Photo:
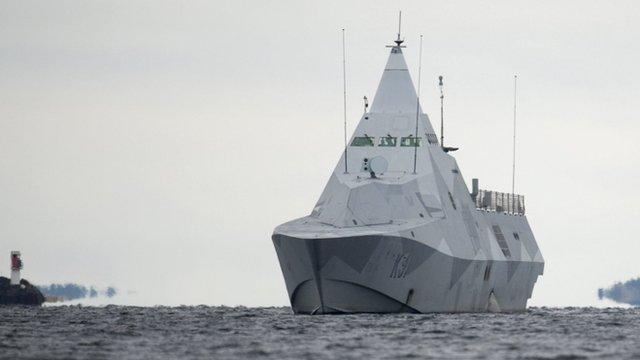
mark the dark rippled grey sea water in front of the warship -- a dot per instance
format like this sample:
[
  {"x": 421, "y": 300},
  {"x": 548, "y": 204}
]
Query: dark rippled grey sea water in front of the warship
[{"x": 67, "y": 332}]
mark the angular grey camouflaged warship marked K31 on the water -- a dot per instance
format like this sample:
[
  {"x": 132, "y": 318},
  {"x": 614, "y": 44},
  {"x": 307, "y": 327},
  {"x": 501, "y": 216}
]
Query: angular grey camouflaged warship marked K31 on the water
[{"x": 396, "y": 228}]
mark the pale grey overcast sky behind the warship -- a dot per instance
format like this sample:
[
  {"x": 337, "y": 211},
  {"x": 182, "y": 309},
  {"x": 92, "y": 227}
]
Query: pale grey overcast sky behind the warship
[{"x": 155, "y": 145}]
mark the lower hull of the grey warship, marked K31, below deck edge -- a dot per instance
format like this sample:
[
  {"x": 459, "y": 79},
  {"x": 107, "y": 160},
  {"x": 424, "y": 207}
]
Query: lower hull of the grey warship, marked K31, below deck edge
[{"x": 387, "y": 274}]
